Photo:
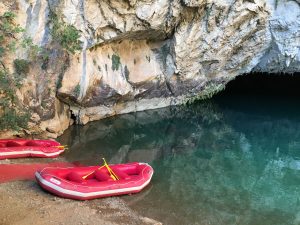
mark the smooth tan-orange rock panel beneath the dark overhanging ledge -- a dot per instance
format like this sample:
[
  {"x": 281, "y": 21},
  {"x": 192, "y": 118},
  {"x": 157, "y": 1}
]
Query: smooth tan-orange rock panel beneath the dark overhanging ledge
[{"x": 126, "y": 68}]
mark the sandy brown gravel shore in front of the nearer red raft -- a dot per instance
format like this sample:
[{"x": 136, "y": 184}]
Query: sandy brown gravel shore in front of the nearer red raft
[{"x": 24, "y": 202}]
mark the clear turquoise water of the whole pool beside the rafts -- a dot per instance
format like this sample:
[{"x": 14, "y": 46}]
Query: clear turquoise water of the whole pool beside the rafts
[{"x": 231, "y": 160}]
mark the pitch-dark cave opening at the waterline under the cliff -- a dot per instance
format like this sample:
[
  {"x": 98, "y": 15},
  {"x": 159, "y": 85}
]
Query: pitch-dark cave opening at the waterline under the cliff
[{"x": 262, "y": 93}]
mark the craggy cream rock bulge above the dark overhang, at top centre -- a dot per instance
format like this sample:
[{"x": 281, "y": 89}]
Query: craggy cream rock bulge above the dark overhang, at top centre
[{"x": 103, "y": 21}]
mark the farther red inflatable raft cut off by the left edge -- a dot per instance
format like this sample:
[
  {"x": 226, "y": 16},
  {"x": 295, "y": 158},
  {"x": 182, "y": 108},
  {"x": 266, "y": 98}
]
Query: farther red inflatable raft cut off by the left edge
[{"x": 18, "y": 148}]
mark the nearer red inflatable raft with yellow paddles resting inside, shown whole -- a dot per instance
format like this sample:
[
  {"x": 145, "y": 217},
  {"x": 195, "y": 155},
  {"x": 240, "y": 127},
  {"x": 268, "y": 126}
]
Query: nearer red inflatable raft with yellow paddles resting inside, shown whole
[{"x": 83, "y": 183}]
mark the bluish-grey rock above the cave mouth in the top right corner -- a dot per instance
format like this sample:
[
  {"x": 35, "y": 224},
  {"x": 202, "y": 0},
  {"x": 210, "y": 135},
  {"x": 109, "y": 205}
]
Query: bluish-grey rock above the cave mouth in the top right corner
[{"x": 283, "y": 54}]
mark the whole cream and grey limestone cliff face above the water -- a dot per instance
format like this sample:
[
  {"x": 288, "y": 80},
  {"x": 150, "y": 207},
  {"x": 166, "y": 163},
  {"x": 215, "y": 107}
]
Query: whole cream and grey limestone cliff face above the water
[{"x": 139, "y": 55}]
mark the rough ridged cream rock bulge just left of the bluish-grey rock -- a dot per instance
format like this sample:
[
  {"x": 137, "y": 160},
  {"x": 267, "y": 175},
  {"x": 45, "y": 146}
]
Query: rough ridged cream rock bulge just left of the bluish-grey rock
[{"x": 221, "y": 40}]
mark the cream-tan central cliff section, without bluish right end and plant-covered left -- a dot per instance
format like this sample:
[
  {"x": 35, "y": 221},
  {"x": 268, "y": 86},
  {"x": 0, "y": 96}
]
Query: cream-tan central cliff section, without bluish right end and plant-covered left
[{"x": 166, "y": 51}]
